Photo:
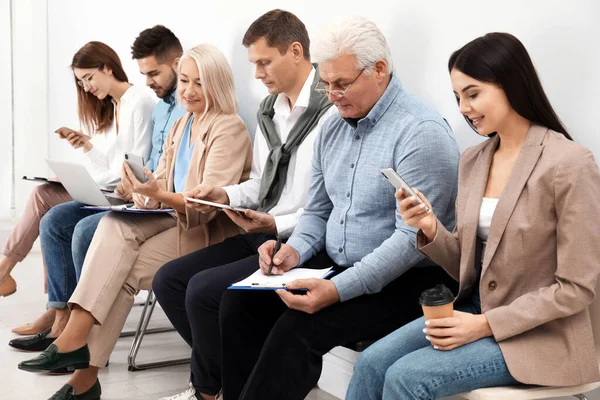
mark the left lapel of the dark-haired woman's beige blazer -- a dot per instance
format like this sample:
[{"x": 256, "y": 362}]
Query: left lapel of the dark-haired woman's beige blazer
[{"x": 478, "y": 179}]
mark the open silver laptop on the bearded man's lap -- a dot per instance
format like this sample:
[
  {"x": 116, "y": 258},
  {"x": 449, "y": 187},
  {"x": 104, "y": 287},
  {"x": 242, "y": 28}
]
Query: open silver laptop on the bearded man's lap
[{"x": 81, "y": 186}]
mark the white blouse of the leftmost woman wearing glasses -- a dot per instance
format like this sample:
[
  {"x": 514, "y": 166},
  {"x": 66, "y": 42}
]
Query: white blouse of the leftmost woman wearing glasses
[{"x": 135, "y": 136}]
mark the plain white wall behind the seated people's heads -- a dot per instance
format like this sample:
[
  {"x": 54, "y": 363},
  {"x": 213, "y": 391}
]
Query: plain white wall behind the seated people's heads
[{"x": 559, "y": 35}]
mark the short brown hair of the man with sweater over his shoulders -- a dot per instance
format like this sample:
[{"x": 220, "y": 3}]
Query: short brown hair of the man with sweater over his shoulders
[{"x": 280, "y": 29}]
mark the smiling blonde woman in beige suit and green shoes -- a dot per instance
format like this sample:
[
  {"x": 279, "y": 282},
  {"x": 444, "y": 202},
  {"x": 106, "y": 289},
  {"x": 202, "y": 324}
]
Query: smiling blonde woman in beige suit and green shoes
[{"x": 210, "y": 144}]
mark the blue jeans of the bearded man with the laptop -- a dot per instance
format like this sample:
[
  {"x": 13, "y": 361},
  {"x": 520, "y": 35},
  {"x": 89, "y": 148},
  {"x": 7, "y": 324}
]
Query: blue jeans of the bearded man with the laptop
[{"x": 66, "y": 232}]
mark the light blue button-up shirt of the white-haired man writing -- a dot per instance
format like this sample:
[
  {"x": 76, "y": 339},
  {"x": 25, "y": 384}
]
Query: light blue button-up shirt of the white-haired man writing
[{"x": 351, "y": 210}]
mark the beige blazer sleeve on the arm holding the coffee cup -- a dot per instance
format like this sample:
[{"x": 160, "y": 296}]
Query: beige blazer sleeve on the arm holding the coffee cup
[{"x": 577, "y": 204}]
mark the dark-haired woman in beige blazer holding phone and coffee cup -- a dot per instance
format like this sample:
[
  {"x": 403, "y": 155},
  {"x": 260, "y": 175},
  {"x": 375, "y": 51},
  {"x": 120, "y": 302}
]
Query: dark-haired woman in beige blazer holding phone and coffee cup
[{"x": 523, "y": 249}]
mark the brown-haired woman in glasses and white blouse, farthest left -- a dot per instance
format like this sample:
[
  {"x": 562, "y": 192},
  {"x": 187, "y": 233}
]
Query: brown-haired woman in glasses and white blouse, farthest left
[{"x": 115, "y": 118}]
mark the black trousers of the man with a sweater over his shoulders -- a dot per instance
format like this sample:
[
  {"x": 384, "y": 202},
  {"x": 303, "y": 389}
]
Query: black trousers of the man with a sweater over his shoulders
[{"x": 190, "y": 288}]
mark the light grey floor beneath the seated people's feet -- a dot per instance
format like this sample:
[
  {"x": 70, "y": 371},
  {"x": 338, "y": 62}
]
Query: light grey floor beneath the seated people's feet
[{"x": 117, "y": 382}]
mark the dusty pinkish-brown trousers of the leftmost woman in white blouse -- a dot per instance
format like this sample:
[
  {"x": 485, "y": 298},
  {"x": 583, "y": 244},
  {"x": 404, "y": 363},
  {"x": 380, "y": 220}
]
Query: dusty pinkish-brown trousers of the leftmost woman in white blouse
[{"x": 41, "y": 200}]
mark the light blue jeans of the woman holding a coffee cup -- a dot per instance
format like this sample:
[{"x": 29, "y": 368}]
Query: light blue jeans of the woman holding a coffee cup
[{"x": 404, "y": 365}]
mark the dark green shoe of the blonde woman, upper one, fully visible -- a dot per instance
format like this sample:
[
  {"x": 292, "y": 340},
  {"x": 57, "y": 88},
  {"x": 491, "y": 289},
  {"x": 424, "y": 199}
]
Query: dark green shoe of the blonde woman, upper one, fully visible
[{"x": 51, "y": 359}]
